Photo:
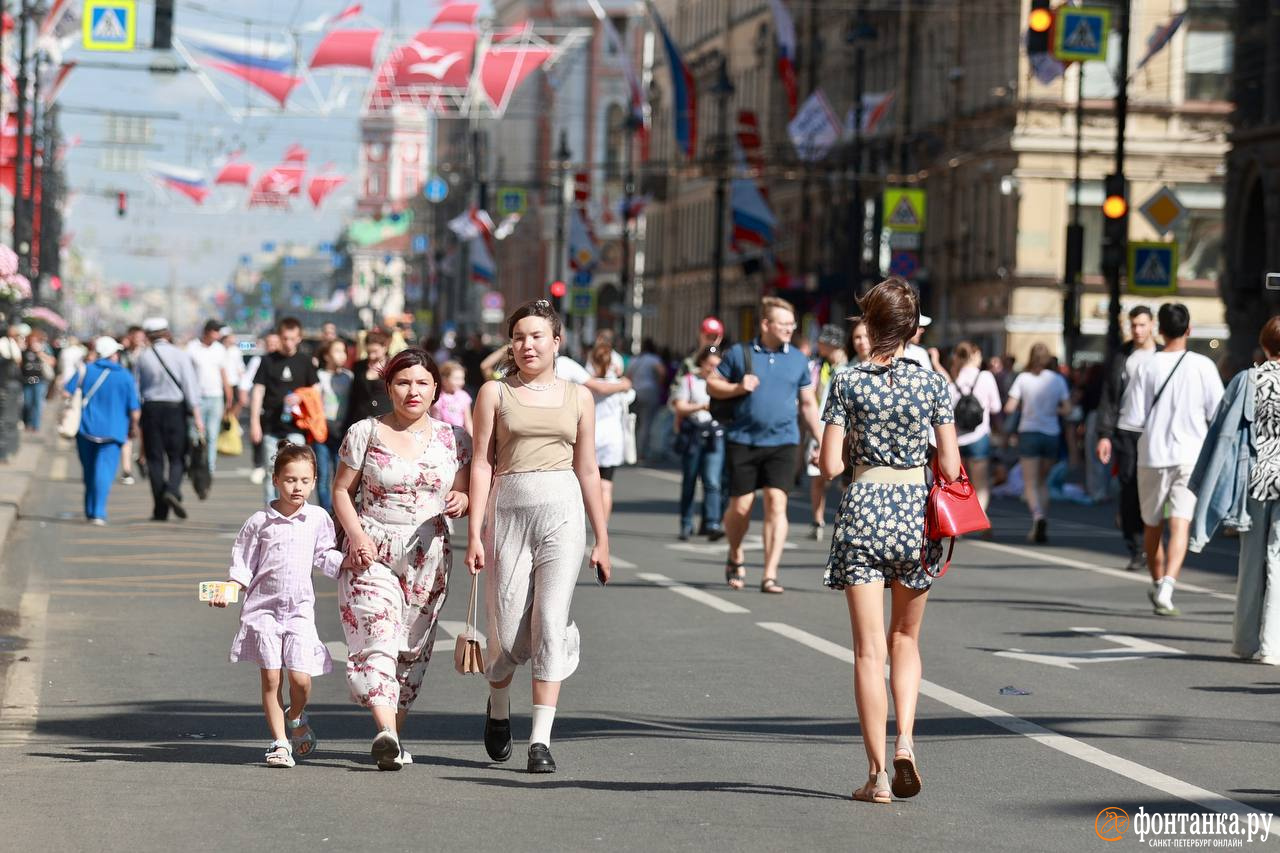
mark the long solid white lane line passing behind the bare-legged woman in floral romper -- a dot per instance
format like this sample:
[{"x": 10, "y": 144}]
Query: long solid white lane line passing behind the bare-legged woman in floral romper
[{"x": 1045, "y": 737}]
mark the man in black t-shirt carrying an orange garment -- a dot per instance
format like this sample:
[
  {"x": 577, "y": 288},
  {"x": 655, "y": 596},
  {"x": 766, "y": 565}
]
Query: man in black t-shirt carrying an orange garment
[{"x": 276, "y": 384}]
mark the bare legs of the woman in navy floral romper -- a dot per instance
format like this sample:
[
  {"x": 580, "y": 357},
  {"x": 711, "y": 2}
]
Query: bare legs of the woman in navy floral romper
[{"x": 871, "y": 650}]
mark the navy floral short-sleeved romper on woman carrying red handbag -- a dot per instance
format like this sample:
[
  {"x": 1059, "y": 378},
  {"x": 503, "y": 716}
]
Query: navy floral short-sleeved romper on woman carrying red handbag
[{"x": 886, "y": 413}]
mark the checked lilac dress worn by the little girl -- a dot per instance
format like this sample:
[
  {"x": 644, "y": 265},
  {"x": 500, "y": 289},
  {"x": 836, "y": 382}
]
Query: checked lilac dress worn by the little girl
[{"x": 273, "y": 559}]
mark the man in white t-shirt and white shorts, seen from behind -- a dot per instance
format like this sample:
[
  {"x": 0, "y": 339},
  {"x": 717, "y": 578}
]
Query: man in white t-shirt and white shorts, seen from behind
[{"x": 1171, "y": 400}]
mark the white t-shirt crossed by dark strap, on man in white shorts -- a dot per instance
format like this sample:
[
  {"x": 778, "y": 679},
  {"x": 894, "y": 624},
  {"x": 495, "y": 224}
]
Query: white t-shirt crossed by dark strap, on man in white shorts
[{"x": 1173, "y": 431}]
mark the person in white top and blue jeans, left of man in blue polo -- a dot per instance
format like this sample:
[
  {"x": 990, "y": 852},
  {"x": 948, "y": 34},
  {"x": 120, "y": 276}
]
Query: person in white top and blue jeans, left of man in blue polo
[{"x": 701, "y": 441}]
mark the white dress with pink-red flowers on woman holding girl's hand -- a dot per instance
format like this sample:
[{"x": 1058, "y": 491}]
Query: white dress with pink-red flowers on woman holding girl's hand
[{"x": 390, "y": 610}]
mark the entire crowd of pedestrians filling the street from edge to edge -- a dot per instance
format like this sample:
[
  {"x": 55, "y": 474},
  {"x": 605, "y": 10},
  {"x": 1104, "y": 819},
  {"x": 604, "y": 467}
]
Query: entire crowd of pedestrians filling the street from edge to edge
[{"x": 396, "y": 444}]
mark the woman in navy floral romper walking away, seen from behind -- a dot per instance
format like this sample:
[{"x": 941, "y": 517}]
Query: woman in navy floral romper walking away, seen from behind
[{"x": 879, "y": 418}]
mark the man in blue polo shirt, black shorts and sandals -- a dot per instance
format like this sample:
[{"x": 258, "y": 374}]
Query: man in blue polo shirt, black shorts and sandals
[{"x": 772, "y": 380}]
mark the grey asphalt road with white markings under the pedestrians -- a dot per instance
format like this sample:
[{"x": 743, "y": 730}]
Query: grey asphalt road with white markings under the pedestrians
[{"x": 700, "y": 719}]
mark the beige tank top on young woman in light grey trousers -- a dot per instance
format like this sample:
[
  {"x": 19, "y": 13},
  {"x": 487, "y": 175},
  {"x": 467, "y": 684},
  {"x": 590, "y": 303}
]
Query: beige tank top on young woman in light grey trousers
[{"x": 536, "y": 439}]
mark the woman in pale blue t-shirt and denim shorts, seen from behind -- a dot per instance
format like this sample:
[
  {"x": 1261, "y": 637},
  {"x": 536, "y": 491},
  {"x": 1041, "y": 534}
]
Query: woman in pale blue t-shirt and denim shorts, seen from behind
[{"x": 1041, "y": 398}]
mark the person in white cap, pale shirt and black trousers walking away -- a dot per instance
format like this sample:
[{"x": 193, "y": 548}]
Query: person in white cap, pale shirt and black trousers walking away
[{"x": 171, "y": 395}]
